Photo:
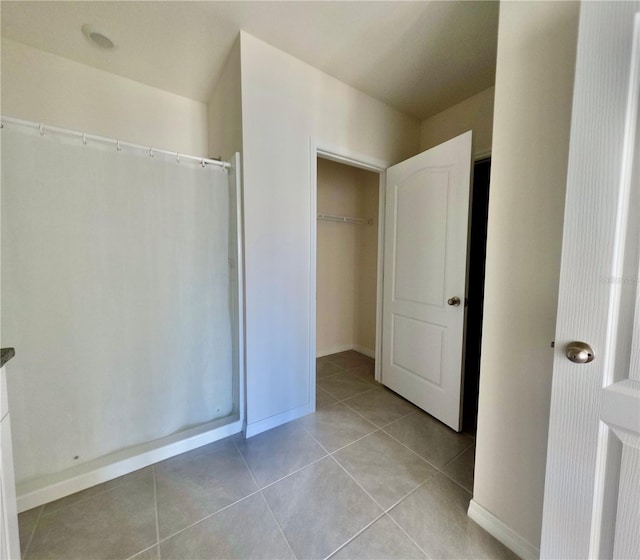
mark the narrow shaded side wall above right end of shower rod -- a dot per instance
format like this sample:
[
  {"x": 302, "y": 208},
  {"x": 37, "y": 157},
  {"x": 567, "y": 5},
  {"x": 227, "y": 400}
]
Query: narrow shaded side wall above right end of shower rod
[{"x": 224, "y": 110}]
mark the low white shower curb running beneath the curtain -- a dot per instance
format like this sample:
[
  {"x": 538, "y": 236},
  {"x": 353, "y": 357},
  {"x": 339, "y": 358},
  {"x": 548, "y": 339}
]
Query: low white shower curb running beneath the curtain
[{"x": 46, "y": 489}]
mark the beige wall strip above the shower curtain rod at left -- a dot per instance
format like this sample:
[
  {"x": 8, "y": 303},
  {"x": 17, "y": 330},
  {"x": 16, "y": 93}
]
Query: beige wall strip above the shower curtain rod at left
[{"x": 43, "y": 87}]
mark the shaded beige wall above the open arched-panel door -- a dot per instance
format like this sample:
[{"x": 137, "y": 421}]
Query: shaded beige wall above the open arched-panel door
[{"x": 474, "y": 113}]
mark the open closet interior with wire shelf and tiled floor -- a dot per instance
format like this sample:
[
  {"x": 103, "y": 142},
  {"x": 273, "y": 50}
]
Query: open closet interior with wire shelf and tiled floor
[{"x": 347, "y": 251}]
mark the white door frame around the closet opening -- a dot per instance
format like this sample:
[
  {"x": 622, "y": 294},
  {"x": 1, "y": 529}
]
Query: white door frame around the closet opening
[{"x": 340, "y": 154}]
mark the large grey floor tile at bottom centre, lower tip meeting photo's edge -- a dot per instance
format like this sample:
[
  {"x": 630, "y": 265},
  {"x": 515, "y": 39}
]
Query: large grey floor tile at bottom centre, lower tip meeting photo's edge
[{"x": 320, "y": 508}]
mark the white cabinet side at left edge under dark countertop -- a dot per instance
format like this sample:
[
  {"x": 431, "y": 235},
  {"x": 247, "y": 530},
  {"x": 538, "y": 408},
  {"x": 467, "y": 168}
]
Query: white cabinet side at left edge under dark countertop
[{"x": 9, "y": 537}]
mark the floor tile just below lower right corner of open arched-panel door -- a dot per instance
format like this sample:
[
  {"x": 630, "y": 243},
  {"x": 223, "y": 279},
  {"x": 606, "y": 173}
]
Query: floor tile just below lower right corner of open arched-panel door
[{"x": 429, "y": 438}]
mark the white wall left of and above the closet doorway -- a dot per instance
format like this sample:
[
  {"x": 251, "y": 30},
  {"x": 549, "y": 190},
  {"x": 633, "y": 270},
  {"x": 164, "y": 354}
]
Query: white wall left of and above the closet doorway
[{"x": 286, "y": 103}]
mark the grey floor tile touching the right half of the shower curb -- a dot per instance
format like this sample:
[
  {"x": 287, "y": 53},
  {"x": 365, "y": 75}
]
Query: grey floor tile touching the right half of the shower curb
[{"x": 199, "y": 483}]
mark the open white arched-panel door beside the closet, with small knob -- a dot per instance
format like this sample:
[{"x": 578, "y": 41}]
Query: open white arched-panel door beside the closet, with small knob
[{"x": 426, "y": 225}]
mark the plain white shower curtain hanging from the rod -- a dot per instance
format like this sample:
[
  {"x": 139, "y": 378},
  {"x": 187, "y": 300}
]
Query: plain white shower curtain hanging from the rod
[{"x": 115, "y": 294}]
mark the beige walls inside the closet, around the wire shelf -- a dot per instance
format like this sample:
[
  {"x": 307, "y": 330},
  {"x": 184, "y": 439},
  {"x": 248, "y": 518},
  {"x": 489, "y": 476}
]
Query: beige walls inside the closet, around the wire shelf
[{"x": 346, "y": 260}]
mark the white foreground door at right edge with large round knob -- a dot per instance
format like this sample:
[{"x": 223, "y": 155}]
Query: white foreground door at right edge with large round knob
[{"x": 592, "y": 486}]
